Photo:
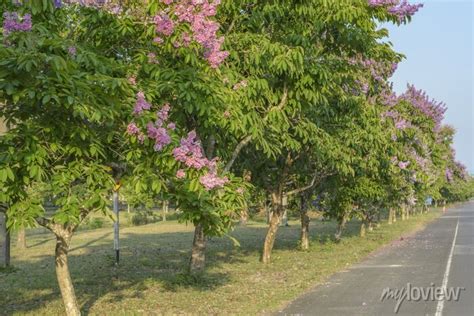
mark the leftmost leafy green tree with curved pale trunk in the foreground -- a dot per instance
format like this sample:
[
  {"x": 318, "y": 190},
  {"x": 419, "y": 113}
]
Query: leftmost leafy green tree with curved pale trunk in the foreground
[{"x": 62, "y": 95}]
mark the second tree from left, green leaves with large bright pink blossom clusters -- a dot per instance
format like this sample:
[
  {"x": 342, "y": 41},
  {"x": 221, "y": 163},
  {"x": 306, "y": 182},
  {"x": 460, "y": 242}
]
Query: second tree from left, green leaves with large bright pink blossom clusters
[{"x": 183, "y": 107}]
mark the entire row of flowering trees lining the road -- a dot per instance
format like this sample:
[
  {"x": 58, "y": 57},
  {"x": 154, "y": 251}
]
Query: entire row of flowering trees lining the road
[{"x": 212, "y": 105}]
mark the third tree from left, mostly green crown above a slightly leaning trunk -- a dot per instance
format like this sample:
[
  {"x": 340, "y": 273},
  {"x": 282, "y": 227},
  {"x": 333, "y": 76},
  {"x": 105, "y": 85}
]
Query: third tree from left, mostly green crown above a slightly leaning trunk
[{"x": 298, "y": 79}]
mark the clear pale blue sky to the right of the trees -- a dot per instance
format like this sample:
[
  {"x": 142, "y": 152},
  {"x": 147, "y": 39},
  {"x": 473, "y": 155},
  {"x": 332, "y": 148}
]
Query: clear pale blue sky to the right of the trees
[{"x": 438, "y": 45}]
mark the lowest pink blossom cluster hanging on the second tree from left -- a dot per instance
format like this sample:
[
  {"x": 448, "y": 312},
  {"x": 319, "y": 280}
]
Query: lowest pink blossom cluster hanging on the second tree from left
[{"x": 190, "y": 153}]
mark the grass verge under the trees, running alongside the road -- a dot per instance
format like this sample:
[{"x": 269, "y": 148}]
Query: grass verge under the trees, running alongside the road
[{"x": 151, "y": 278}]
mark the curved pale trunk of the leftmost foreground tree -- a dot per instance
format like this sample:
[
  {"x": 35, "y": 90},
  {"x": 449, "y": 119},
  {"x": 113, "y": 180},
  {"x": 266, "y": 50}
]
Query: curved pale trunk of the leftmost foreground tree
[{"x": 63, "y": 240}]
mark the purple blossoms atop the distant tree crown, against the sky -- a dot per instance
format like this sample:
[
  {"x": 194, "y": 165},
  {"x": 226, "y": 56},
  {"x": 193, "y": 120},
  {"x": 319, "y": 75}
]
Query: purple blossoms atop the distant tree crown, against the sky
[{"x": 429, "y": 107}]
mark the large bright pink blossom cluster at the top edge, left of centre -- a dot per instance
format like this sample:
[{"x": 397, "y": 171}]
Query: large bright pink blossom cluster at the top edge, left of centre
[{"x": 197, "y": 14}]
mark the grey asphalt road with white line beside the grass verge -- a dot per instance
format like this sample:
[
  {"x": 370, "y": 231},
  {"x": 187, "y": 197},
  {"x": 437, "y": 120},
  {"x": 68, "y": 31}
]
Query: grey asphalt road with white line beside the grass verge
[{"x": 440, "y": 257}]
